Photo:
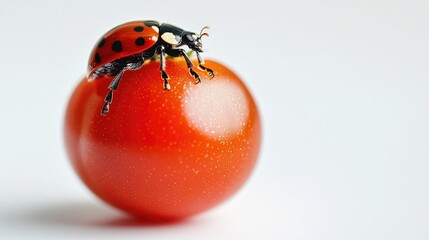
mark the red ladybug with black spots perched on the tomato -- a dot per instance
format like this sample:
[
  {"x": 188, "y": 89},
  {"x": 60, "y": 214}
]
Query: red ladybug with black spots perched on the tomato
[{"x": 127, "y": 46}]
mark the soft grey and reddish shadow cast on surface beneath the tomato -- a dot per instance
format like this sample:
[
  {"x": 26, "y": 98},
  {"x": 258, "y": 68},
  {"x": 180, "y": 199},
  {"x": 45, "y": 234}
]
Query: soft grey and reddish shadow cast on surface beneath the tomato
[{"x": 92, "y": 215}]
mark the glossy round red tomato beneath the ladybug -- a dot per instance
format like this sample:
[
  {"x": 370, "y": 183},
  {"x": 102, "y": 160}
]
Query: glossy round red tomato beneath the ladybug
[{"x": 164, "y": 154}]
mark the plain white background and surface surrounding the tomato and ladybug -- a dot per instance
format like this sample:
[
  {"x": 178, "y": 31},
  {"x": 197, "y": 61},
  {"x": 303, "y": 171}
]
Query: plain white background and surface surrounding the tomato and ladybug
[{"x": 343, "y": 89}]
